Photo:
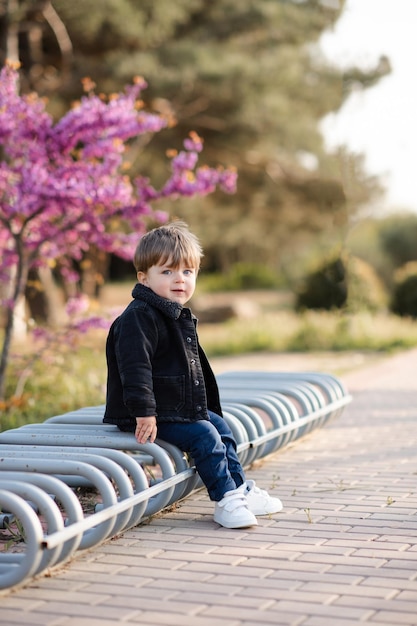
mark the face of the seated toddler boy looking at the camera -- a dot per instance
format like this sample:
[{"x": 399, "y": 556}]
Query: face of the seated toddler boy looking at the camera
[{"x": 177, "y": 284}]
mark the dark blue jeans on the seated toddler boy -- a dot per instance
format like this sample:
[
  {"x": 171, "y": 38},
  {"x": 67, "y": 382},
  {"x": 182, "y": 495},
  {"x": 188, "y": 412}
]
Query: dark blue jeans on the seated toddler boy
[{"x": 212, "y": 446}]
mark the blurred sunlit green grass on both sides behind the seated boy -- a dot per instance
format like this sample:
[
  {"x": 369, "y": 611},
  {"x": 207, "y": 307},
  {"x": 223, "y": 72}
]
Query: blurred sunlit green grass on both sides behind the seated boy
[{"x": 70, "y": 377}]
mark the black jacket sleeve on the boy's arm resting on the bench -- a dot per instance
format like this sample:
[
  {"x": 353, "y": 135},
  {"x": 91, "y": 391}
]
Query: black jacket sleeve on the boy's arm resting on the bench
[{"x": 135, "y": 340}]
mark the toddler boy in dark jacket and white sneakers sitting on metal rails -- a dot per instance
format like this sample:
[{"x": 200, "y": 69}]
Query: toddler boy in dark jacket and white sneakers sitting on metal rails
[{"x": 161, "y": 383}]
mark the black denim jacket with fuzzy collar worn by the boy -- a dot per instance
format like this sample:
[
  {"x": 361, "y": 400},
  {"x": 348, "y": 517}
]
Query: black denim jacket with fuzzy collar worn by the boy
[{"x": 156, "y": 365}]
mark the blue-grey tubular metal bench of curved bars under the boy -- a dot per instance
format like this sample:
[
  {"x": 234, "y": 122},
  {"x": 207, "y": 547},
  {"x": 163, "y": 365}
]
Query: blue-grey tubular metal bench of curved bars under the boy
[{"x": 44, "y": 467}]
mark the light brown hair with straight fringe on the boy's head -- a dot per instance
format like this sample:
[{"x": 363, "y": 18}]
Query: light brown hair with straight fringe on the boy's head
[{"x": 172, "y": 242}]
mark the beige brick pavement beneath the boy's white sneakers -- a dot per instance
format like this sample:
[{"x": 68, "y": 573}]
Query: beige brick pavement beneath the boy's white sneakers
[{"x": 343, "y": 551}]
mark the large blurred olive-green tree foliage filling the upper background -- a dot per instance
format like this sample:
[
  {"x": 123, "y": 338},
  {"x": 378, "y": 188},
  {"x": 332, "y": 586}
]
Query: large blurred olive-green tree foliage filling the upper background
[{"x": 248, "y": 76}]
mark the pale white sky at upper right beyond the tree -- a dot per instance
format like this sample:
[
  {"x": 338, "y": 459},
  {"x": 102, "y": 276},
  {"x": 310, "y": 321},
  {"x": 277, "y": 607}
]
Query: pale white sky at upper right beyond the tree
[{"x": 380, "y": 122}]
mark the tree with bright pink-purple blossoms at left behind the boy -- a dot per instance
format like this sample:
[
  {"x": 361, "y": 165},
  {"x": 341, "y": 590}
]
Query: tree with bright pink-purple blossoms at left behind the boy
[{"x": 63, "y": 189}]
